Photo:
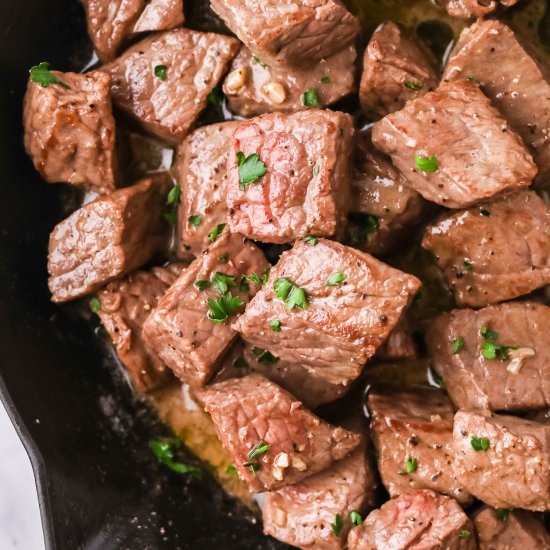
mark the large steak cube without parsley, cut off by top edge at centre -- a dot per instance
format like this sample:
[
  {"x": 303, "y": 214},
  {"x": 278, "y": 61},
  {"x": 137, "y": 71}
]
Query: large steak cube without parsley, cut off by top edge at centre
[{"x": 295, "y": 32}]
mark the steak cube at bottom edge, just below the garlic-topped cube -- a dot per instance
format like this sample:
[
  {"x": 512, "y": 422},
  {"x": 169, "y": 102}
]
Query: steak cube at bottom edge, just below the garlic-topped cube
[{"x": 302, "y": 514}]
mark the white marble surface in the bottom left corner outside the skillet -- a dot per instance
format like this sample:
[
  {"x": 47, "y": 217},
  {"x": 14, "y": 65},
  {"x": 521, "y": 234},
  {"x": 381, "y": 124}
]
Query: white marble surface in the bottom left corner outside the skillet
[{"x": 20, "y": 527}]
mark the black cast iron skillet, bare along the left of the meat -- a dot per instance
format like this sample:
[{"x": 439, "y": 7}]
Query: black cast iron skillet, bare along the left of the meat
[{"x": 98, "y": 486}]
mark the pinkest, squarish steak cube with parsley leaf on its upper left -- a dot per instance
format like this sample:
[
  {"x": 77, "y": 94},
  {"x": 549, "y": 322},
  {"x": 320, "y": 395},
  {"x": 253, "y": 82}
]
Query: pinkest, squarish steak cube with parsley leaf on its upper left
[{"x": 303, "y": 188}]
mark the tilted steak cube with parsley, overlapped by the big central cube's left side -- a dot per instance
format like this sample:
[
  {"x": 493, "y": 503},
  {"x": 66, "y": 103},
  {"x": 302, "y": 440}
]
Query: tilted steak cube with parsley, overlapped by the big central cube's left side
[{"x": 189, "y": 328}]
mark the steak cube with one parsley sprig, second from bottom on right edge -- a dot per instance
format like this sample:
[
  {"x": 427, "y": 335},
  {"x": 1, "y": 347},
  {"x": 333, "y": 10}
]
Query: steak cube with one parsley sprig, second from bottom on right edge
[{"x": 503, "y": 460}]
